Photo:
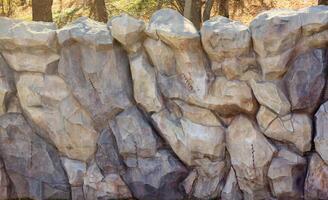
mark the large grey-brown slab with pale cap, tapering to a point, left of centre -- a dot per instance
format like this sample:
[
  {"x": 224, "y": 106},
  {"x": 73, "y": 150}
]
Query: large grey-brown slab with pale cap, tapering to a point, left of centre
[{"x": 95, "y": 68}]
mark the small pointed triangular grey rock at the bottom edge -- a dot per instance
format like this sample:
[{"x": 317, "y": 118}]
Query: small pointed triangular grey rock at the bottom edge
[{"x": 231, "y": 189}]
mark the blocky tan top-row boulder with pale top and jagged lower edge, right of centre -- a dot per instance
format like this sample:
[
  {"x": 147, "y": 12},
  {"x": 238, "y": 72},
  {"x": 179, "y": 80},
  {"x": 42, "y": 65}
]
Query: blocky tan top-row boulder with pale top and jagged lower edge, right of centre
[{"x": 228, "y": 43}]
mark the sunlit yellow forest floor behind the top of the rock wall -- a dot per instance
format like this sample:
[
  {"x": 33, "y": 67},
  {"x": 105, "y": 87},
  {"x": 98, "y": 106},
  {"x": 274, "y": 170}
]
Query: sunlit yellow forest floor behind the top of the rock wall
[{"x": 241, "y": 10}]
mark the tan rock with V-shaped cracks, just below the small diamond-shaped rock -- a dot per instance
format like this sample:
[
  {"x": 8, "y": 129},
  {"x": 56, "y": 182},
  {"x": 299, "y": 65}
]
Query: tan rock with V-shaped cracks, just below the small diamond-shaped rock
[{"x": 295, "y": 128}]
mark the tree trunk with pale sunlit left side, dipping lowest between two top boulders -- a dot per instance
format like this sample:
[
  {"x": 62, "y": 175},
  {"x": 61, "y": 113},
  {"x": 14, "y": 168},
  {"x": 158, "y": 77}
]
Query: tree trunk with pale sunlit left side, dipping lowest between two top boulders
[{"x": 192, "y": 11}]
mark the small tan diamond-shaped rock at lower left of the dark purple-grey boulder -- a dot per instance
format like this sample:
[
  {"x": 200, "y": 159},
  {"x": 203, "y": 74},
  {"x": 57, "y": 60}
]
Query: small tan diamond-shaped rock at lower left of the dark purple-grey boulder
[{"x": 270, "y": 95}]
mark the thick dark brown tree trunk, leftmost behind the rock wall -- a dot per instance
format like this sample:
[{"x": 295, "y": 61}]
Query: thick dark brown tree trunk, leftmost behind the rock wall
[{"x": 41, "y": 10}]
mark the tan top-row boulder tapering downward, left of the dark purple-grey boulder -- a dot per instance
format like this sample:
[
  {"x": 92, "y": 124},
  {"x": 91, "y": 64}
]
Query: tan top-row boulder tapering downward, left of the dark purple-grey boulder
[{"x": 275, "y": 35}]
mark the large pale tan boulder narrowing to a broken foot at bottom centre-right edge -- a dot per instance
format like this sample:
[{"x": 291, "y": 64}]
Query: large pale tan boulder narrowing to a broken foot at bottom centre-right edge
[{"x": 199, "y": 144}]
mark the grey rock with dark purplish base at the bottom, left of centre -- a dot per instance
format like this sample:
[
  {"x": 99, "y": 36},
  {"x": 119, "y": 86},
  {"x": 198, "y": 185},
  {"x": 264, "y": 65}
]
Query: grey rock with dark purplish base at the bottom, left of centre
[{"x": 151, "y": 173}]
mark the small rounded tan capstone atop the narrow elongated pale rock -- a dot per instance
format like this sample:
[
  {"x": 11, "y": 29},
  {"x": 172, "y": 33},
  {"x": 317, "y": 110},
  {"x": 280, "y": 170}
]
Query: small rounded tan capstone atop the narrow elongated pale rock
[{"x": 128, "y": 31}]
